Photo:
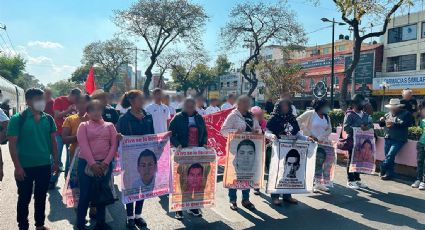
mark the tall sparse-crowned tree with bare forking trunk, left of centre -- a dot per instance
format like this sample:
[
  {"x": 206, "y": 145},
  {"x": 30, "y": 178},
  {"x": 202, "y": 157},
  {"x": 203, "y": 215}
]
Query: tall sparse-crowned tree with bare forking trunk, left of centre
[{"x": 160, "y": 23}]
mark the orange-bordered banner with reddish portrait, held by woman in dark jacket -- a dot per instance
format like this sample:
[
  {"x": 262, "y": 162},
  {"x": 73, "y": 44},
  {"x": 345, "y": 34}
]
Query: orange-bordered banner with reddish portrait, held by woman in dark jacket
[{"x": 194, "y": 173}]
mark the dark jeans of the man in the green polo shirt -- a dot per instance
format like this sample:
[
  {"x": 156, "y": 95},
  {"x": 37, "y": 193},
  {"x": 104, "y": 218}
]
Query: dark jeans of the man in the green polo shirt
[{"x": 37, "y": 180}]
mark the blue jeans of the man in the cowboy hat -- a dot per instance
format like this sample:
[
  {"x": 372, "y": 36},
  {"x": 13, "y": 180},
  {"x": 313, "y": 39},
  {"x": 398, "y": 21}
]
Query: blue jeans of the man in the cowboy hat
[{"x": 391, "y": 148}]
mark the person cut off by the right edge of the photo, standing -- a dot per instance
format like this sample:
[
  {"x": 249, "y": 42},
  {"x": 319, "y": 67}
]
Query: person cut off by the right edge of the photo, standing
[{"x": 420, "y": 148}]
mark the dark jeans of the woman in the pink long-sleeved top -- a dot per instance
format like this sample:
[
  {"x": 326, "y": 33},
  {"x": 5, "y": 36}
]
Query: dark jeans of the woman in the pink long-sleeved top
[{"x": 85, "y": 182}]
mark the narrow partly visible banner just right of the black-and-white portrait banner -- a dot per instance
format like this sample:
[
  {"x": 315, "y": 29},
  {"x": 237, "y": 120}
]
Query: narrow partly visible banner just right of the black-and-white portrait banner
[{"x": 325, "y": 165}]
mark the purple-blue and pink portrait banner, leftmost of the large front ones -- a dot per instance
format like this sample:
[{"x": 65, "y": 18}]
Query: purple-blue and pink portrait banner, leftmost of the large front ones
[{"x": 145, "y": 166}]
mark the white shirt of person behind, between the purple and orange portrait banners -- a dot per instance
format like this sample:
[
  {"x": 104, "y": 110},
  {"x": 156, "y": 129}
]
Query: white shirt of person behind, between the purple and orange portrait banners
[{"x": 160, "y": 114}]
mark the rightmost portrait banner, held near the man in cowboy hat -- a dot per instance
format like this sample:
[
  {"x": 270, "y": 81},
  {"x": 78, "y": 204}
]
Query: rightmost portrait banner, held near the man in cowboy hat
[{"x": 363, "y": 155}]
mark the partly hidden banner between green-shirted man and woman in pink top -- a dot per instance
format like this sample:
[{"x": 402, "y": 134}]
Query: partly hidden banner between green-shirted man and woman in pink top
[{"x": 71, "y": 189}]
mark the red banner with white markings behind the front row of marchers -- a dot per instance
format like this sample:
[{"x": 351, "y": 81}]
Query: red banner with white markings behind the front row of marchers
[{"x": 213, "y": 122}]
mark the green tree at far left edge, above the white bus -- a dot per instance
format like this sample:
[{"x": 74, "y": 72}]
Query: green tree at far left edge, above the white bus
[{"x": 12, "y": 68}]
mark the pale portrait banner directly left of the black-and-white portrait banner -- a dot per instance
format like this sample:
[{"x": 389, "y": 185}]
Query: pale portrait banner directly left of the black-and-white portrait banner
[{"x": 244, "y": 161}]
